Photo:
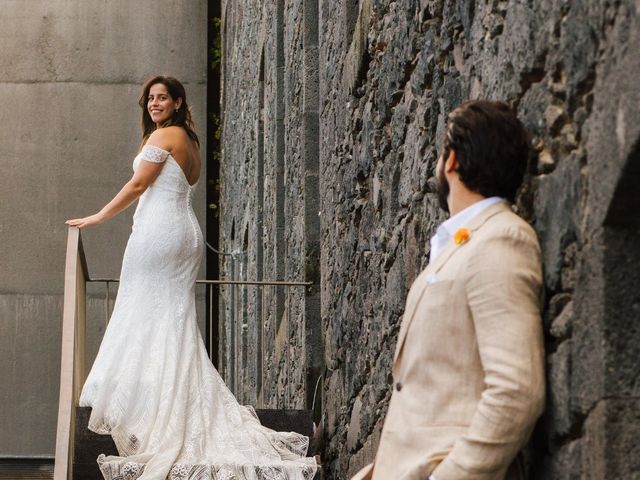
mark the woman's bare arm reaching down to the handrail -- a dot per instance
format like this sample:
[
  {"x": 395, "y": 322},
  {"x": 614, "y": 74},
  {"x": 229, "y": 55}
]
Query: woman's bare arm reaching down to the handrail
[{"x": 144, "y": 176}]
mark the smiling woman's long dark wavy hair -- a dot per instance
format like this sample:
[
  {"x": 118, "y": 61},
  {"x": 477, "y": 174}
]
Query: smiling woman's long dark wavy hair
[{"x": 181, "y": 118}]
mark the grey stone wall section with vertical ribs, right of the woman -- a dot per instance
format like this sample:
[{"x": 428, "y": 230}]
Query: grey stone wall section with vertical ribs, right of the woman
[{"x": 269, "y": 202}]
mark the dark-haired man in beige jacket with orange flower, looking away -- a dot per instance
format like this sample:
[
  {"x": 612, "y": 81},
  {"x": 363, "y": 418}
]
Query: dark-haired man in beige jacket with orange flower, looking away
[{"x": 468, "y": 368}]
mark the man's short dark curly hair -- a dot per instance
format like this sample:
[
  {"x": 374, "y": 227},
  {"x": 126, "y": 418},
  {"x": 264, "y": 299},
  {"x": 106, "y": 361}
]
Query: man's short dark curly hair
[{"x": 491, "y": 146}]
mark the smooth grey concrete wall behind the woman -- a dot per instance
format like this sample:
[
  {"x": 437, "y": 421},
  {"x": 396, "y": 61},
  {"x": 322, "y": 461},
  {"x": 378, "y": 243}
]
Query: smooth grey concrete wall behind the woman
[{"x": 69, "y": 85}]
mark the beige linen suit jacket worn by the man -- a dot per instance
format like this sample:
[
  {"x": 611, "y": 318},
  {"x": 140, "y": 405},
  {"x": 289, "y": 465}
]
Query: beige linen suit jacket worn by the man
[{"x": 469, "y": 363}]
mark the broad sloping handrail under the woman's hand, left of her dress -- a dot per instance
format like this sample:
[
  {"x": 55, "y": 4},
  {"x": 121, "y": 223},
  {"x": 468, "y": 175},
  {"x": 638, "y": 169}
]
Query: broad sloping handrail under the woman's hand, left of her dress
[{"x": 72, "y": 362}]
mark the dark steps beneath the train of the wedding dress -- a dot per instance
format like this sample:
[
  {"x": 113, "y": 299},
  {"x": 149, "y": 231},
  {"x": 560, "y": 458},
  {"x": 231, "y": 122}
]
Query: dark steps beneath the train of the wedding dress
[{"x": 89, "y": 445}]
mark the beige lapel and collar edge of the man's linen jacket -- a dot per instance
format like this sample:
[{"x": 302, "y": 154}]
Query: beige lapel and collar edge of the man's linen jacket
[{"x": 435, "y": 266}]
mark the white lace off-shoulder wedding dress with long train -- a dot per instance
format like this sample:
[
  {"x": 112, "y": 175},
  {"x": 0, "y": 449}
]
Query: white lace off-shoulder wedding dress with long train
[{"x": 152, "y": 386}]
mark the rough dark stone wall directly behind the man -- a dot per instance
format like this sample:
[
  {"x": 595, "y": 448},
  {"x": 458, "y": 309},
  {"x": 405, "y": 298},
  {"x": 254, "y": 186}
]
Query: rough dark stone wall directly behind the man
[{"x": 566, "y": 67}]
